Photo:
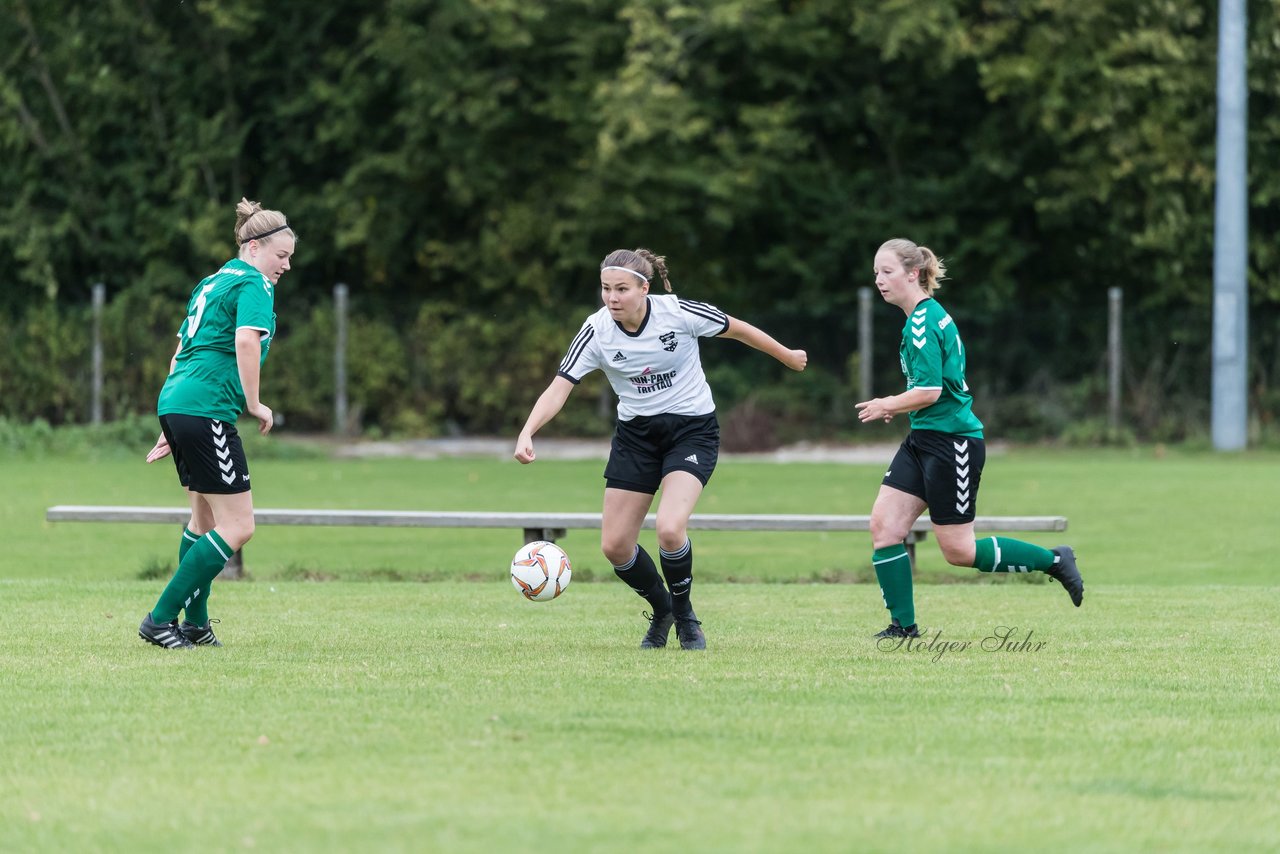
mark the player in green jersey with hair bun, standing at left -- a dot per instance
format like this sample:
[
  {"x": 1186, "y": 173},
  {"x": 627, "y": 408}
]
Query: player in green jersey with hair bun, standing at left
[{"x": 213, "y": 378}]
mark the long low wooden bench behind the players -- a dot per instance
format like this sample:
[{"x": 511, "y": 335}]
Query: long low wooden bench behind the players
[{"x": 536, "y": 526}]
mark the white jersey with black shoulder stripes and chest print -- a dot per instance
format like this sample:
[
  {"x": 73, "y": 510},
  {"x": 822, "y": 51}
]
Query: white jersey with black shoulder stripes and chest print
[{"x": 655, "y": 371}]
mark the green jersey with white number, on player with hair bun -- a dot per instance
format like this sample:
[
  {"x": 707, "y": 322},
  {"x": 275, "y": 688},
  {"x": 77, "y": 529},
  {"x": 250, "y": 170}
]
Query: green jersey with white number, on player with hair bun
[{"x": 205, "y": 381}]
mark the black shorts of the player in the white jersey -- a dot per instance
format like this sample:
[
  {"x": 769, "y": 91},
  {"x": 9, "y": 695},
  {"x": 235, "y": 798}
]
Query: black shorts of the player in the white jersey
[{"x": 650, "y": 447}]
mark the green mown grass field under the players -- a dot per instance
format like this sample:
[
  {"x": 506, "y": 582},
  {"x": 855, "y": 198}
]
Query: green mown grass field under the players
[{"x": 374, "y": 715}]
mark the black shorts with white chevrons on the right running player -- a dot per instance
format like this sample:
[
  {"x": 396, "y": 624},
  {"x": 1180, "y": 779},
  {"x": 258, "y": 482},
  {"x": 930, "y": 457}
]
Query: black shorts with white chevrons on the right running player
[{"x": 941, "y": 469}]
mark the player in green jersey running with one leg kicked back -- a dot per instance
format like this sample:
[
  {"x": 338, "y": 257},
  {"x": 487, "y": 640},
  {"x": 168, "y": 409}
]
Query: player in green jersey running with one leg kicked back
[{"x": 939, "y": 465}]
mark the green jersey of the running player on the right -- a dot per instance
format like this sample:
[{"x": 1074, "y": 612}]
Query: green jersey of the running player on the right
[{"x": 932, "y": 357}]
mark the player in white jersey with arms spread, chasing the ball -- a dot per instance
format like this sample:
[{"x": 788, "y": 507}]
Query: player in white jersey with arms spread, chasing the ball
[{"x": 666, "y": 437}]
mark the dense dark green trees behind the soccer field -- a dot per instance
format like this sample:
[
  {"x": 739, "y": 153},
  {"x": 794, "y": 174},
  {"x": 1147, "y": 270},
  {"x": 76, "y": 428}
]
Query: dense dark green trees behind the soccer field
[{"x": 464, "y": 165}]
